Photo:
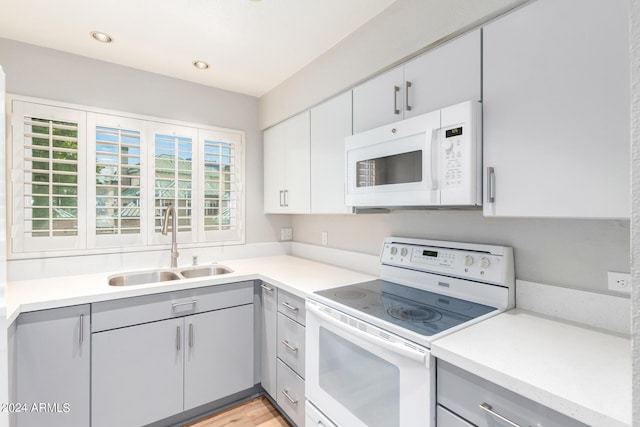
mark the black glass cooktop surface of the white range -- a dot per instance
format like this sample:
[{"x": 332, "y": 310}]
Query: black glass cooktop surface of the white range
[{"x": 420, "y": 311}]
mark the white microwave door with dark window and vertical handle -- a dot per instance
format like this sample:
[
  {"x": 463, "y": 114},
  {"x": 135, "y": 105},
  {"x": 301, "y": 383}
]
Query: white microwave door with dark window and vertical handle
[{"x": 394, "y": 165}]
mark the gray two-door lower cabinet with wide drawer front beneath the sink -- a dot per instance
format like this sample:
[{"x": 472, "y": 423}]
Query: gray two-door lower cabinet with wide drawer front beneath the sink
[{"x": 202, "y": 351}]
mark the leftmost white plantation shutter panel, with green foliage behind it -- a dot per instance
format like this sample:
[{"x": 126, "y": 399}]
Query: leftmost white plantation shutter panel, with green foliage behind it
[{"x": 47, "y": 178}]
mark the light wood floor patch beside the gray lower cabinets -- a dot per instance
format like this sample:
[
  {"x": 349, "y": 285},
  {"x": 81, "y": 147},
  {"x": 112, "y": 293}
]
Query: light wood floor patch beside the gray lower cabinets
[{"x": 258, "y": 412}]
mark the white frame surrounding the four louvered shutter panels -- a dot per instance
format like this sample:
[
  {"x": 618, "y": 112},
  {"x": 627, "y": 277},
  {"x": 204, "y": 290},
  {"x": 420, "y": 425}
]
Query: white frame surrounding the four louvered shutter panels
[{"x": 87, "y": 241}]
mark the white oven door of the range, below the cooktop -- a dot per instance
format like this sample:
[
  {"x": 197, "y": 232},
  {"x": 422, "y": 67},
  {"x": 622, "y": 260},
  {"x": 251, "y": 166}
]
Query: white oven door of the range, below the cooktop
[{"x": 360, "y": 375}]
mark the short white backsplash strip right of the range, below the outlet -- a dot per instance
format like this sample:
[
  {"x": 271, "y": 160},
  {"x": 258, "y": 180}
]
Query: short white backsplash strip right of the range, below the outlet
[{"x": 601, "y": 311}]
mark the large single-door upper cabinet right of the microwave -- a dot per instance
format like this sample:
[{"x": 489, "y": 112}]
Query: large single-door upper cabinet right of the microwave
[{"x": 556, "y": 111}]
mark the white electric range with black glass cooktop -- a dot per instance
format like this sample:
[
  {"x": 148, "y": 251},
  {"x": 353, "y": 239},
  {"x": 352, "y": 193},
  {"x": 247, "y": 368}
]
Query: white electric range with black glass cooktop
[{"x": 368, "y": 358}]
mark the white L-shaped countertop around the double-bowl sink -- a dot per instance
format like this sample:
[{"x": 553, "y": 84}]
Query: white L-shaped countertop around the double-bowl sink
[{"x": 296, "y": 275}]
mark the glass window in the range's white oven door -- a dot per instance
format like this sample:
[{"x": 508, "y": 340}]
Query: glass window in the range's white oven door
[{"x": 363, "y": 383}]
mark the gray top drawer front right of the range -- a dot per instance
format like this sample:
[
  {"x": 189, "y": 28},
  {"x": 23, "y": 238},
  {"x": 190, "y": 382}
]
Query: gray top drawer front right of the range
[{"x": 462, "y": 393}]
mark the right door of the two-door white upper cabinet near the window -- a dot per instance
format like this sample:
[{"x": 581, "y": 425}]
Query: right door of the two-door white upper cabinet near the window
[{"x": 297, "y": 198}]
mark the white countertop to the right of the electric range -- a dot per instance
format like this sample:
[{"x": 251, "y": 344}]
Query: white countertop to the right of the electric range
[{"x": 581, "y": 372}]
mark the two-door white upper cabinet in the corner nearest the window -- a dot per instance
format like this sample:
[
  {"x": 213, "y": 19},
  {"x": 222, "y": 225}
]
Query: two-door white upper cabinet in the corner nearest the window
[{"x": 286, "y": 166}]
